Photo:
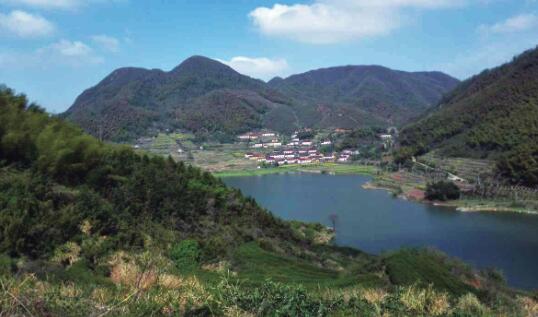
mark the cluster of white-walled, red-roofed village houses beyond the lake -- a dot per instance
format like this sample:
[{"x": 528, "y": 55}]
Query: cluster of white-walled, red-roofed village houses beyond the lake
[{"x": 270, "y": 149}]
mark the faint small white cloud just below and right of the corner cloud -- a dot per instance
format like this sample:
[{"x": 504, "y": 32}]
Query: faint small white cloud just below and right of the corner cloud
[{"x": 74, "y": 53}]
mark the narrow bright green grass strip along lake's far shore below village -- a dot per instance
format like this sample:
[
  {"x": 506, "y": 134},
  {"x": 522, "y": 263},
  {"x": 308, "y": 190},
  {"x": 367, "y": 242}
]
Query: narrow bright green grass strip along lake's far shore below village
[{"x": 328, "y": 168}]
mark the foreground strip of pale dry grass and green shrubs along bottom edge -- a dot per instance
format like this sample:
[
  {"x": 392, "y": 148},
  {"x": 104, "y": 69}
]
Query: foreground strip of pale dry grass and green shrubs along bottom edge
[{"x": 267, "y": 284}]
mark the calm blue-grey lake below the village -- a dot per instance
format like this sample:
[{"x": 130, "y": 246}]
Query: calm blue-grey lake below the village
[{"x": 374, "y": 221}]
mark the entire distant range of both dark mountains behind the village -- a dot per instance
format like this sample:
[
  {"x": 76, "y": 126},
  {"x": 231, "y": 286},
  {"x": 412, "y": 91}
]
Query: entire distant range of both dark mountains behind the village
[{"x": 208, "y": 97}]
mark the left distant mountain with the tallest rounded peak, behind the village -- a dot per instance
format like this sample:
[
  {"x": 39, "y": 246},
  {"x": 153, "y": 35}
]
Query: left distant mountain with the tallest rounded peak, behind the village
[{"x": 200, "y": 94}]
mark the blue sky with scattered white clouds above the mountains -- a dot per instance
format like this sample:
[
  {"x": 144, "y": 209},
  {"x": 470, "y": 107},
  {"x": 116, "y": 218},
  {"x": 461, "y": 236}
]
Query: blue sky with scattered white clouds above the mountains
[{"x": 54, "y": 49}]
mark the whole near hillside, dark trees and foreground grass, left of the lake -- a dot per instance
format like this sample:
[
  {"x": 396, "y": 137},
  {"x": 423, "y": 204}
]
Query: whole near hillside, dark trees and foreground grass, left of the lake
[{"x": 93, "y": 229}]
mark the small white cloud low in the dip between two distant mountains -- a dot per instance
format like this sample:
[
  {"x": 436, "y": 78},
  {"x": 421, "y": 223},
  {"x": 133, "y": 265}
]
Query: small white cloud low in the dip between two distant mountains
[{"x": 260, "y": 67}]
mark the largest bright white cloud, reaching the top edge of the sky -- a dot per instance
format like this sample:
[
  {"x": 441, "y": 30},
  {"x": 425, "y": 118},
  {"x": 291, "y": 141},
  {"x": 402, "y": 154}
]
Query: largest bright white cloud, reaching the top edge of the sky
[{"x": 331, "y": 21}]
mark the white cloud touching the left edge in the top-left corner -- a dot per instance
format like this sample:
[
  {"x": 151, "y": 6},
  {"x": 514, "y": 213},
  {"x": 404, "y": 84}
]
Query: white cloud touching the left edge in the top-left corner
[{"x": 24, "y": 24}]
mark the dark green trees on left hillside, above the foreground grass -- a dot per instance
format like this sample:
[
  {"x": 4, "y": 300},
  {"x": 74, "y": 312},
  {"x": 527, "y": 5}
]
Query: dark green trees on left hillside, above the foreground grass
[{"x": 62, "y": 178}]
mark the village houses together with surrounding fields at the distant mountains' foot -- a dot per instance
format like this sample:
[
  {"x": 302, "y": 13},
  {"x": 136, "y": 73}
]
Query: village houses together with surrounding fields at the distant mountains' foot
[{"x": 264, "y": 148}]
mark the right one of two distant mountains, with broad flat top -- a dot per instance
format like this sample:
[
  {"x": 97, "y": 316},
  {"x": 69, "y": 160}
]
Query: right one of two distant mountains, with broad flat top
[{"x": 365, "y": 93}]
